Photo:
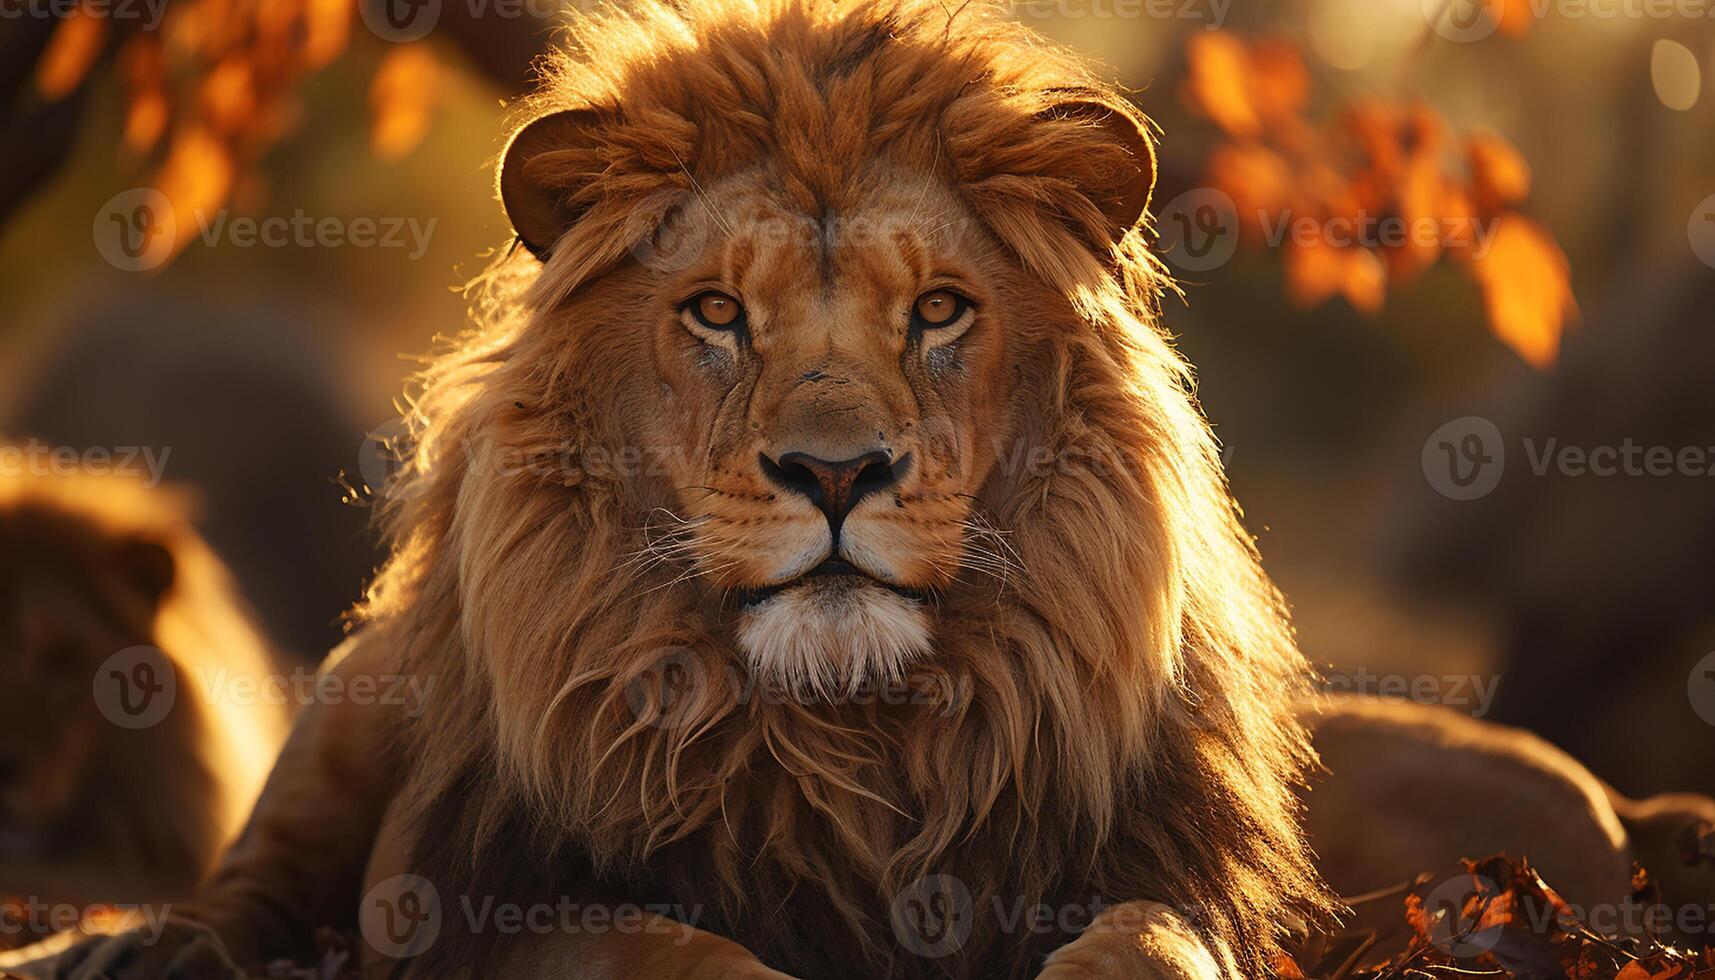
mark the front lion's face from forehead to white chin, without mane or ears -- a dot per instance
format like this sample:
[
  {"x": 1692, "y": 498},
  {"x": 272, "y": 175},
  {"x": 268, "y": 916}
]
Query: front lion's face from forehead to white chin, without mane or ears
[{"x": 831, "y": 389}]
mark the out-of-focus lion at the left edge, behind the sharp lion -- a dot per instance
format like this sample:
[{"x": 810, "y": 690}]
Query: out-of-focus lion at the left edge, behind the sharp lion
[{"x": 100, "y": 579}]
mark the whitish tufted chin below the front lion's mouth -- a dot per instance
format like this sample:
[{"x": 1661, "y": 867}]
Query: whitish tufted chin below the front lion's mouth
[{"x": 834, "y": 638}]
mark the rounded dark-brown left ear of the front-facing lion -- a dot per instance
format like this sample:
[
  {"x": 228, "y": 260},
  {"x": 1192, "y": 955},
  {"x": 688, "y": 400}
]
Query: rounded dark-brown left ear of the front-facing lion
[{"x": 543, "y": 172}]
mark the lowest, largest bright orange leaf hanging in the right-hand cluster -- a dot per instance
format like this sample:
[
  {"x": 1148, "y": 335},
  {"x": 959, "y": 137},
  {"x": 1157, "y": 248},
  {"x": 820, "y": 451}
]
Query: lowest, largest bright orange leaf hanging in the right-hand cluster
[{"x": 1527, "y": 289}]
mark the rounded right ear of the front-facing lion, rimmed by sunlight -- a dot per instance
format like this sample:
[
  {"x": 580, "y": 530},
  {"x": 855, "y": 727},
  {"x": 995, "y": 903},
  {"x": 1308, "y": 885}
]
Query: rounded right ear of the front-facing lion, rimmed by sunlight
[{"x": 1121, "y": 174}]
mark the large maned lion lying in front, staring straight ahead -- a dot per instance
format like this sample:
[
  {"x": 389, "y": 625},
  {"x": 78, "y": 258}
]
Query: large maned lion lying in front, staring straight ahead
[{"x": 821, "y": 555}]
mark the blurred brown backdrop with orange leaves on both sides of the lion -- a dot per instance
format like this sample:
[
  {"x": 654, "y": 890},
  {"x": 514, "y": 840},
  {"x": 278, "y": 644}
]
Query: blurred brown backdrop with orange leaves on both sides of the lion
[{"x": 1342, "y": 378}]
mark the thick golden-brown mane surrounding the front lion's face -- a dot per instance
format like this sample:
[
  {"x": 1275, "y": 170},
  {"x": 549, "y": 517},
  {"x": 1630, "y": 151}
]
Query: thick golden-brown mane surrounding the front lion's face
[{"x": 1124, "y": 725}]
